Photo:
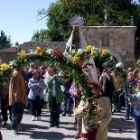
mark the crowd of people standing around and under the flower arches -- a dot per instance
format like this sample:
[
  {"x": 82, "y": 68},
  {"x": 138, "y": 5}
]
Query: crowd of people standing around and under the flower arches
[{"x": 32, "y": 88}]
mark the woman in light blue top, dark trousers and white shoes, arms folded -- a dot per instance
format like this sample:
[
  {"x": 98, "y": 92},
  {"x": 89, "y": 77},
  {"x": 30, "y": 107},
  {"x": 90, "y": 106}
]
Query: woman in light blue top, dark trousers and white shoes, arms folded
[{"x": 36, "y": 86}]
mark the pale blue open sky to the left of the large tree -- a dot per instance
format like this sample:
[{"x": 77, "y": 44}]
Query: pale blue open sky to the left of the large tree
[{"x": 18, "y": 18}]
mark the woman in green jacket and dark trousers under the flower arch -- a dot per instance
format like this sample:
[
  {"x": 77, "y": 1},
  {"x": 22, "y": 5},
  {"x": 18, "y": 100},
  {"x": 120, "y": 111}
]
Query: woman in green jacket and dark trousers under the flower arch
[{"x": 54, "y": 95}]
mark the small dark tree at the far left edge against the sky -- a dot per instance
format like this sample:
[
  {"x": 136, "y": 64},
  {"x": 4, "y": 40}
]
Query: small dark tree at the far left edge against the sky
[{"x": 5, "y": 41}]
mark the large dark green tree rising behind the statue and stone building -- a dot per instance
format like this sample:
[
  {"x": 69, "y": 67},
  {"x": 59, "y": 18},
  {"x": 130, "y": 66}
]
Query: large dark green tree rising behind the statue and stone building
[{"x": 59, "y": 13}]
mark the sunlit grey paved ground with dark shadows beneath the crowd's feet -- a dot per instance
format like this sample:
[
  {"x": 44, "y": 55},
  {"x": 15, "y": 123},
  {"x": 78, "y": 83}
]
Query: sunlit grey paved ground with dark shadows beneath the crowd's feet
[{"x": 119, "y": 129}]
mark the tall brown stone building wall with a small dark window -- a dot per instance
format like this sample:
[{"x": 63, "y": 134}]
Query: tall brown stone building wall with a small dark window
[{"x": 119, "y": 40}]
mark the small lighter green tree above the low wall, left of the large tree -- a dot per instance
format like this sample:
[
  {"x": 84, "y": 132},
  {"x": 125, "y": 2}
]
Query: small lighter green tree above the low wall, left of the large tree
[{"x": 40, "y": 36}]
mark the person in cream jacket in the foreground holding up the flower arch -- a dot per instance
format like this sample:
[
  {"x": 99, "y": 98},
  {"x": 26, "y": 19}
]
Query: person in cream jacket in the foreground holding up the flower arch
[{"x": 102, "y": 117}]
